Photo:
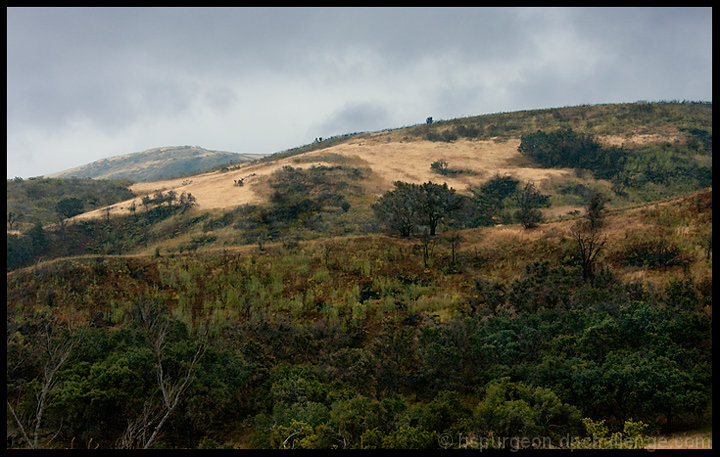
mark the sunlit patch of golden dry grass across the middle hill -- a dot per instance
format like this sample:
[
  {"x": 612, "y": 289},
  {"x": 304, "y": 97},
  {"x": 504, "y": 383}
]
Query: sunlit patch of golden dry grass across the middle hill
[{"x": 389, "y": 161}]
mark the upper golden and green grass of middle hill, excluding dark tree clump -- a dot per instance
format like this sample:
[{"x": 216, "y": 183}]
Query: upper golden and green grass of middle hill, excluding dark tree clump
[{"x": 483, "y": 145}]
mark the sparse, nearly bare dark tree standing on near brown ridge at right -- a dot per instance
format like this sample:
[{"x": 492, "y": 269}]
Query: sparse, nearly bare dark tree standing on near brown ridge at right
[{"x": 587, "y": 234}]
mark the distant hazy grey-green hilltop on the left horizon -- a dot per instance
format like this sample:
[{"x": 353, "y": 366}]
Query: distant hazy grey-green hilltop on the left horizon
[{"x": 154, "y": 164}]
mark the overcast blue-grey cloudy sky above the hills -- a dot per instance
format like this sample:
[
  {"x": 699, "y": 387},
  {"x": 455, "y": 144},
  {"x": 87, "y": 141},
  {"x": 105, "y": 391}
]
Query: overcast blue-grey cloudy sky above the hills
[{"x": 85, "y": 84}]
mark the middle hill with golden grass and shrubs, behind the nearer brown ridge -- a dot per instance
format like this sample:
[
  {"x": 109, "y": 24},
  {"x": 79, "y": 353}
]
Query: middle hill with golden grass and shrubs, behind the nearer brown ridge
[{"x": 632, "y": 153}]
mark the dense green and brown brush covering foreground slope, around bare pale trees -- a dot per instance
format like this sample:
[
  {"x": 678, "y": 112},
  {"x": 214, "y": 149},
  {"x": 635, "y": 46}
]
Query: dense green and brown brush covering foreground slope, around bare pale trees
[{"x": 310, "y": 350}]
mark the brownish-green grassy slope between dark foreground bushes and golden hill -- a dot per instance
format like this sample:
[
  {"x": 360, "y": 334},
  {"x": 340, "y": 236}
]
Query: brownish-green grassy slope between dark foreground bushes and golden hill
[{"x": 97, "y": 290}]
